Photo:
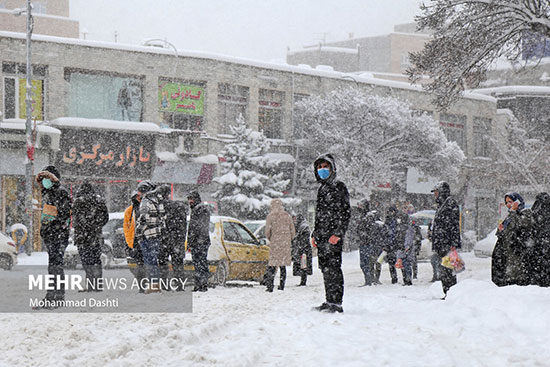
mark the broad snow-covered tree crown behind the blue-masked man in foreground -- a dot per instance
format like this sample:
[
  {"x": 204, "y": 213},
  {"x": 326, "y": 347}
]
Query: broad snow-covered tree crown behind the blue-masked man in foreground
[{"x": 376, "y": 138}]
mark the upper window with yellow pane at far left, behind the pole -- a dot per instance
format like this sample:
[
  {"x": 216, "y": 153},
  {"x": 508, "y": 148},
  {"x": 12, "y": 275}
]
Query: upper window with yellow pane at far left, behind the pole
[{"x": 15, "y": 91}]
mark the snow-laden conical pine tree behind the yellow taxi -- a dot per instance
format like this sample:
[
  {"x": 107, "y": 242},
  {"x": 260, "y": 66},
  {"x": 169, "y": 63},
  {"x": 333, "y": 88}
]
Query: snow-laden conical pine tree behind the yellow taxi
[{"x": 249, "y": 178}]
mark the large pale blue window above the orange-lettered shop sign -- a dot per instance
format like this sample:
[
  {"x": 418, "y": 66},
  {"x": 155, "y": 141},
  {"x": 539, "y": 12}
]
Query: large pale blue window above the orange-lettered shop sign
[{"x": 105, "y": 96}]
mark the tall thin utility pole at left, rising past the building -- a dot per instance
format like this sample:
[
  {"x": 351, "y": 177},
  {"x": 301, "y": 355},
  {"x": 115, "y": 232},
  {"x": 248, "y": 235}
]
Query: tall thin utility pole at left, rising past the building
[{"x": 29, "y": 175}]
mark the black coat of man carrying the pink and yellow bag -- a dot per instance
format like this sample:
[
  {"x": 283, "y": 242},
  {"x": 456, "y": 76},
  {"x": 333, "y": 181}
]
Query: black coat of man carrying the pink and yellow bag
[{"x": 446, "y": 227}]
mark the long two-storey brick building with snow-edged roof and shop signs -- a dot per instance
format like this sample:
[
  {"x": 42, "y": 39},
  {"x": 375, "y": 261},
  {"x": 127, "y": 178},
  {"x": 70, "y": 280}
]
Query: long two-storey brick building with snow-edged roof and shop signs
[{"x": 171, "y": 111}]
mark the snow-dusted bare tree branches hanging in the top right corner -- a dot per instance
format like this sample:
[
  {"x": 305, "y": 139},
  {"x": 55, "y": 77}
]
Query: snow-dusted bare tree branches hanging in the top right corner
[{"x": 471, "y": 34}]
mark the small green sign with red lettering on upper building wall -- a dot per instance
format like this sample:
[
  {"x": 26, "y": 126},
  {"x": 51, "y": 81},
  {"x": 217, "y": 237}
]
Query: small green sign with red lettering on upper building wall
[{"x": 176, "y": 97}]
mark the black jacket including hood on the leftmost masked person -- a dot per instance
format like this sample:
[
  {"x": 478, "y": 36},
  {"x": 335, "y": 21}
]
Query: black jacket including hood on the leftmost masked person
[{"x": 56, "y": 209}]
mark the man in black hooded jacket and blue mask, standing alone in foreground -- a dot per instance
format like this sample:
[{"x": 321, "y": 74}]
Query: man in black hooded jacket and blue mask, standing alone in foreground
[{"x": 331, "y": 222}]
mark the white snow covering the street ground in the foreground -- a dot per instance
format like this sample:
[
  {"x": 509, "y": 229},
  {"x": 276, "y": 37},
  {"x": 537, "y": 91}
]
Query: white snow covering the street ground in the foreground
[{"x": 388, "y": 325}]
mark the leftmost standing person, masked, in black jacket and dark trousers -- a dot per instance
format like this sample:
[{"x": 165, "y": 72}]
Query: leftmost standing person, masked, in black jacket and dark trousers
[{"x": 54, "y": 229}]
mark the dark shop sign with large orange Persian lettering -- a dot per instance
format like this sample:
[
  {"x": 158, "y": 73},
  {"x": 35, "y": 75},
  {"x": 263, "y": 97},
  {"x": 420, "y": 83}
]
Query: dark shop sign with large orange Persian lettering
[{"x": 93, "y": 153}]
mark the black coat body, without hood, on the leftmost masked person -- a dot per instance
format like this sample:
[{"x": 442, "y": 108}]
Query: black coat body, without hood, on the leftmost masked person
[{"x": 56, "y": 229}]
